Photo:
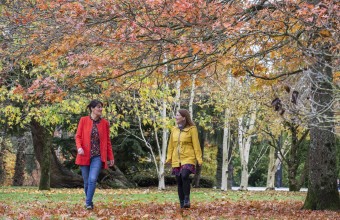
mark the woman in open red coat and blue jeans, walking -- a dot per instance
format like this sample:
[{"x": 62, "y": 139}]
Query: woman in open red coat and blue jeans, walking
[{"x": 94, "y": 148}]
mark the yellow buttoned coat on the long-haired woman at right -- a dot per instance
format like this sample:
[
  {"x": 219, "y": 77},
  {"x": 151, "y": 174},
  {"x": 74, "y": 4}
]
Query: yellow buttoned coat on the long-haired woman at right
[{"x": 184, "y": 147}]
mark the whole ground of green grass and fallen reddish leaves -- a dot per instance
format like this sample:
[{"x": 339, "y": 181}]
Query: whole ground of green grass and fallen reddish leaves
[{"x": 29, "y": 203}]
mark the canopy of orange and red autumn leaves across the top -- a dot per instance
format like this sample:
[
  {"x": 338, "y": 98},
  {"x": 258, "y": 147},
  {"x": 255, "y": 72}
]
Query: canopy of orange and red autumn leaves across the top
[{"x": 91, "y": 42}]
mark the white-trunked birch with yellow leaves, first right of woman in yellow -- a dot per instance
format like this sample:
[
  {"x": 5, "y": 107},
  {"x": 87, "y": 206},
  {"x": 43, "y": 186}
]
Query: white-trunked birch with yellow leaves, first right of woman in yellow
[{"x": 214, "y": 117}]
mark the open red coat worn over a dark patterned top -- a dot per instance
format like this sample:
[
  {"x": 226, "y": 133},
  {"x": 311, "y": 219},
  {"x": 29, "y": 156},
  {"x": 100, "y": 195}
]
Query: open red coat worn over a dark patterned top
[{"x": 83, "y": 139}]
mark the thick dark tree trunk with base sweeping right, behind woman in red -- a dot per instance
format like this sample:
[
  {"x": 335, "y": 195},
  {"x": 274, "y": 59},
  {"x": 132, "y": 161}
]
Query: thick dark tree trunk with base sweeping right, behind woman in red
[{"x": 53, "y": 173}]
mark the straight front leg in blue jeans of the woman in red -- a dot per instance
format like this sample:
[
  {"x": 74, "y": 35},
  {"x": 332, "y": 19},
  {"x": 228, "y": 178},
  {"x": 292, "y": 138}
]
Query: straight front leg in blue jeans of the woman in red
[{"x": 95, "y": 167}]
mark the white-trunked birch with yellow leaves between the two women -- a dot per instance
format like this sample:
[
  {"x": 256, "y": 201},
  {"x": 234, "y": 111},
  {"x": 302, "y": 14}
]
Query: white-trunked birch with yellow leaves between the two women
[{"x": 148, "y": 108}]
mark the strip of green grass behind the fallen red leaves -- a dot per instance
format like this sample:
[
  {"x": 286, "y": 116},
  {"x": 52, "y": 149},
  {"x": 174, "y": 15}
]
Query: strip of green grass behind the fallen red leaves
[{"x": 141, "y": 195}]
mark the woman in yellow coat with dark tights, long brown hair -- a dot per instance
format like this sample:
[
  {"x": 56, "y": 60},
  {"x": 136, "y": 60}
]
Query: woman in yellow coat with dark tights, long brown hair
[{"x": 183, "y": 152}]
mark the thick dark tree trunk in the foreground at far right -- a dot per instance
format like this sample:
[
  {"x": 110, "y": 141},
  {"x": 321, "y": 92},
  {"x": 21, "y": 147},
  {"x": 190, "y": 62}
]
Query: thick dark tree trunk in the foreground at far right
[{"x": 322, "y": 190}]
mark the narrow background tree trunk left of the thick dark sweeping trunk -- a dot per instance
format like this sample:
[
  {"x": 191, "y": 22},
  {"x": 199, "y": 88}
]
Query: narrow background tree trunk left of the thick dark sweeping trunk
[{"x": 19, "y": 177}]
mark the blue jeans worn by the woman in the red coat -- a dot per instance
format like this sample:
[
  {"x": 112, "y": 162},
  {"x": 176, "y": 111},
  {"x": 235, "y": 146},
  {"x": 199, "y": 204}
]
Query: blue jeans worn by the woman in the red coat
[{"x": 90, "y": 176}]
